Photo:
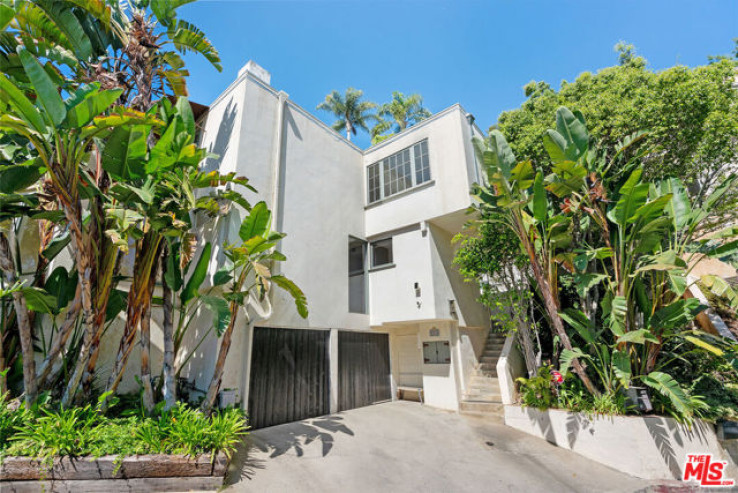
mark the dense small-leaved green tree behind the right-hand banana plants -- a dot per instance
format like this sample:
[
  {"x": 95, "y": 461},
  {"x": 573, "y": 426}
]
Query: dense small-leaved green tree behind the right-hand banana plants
[{"x": 690, "y": 115}]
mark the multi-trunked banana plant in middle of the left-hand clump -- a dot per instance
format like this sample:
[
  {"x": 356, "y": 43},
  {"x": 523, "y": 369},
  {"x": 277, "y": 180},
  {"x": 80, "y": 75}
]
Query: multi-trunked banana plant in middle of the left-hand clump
[{"x": 162, "y": 185}]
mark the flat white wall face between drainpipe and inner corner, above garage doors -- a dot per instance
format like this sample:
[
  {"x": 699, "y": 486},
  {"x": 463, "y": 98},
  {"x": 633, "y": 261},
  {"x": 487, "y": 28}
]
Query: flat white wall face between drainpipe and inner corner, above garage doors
[{"x": 321, "y": 205}]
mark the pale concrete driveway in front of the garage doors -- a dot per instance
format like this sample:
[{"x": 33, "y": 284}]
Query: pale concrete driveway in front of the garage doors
[{"x": 406, "y": 447}]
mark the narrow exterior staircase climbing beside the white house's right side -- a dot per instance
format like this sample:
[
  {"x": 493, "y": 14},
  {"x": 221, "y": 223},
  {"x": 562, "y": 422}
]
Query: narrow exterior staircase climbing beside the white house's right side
[{"x": 482, "y": 395}]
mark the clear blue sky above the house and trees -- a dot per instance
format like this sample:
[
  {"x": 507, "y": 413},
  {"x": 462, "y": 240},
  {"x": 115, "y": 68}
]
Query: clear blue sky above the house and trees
[{"x": 478, "y": 53}]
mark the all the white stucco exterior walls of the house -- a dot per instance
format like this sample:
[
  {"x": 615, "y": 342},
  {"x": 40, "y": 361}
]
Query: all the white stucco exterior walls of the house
[{"x": 315, "y": 181}]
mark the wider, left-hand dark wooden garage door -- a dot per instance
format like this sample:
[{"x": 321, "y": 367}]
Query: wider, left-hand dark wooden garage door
[{"x": 289, "y": 376}]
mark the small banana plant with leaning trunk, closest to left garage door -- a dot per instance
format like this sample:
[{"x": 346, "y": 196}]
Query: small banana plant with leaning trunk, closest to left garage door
[{"x": 251, "y": 281}]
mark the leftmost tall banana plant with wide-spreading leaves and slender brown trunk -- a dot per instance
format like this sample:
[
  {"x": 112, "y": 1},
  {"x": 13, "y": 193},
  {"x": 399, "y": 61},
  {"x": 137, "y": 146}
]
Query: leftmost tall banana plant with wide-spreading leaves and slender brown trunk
[{"x": 63, "y": 134}]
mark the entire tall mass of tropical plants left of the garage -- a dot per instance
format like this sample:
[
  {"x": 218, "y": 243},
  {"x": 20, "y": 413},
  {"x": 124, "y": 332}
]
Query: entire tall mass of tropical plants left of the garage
[{"x": 99, "y": 172}]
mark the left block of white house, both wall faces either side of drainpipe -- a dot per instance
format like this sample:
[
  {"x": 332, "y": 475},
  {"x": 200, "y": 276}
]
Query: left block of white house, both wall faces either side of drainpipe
[{"x": 310, "y": 177}]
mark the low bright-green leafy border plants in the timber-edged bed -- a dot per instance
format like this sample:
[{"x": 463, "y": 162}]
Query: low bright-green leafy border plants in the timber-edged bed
[{"x": 47, "y": 432}]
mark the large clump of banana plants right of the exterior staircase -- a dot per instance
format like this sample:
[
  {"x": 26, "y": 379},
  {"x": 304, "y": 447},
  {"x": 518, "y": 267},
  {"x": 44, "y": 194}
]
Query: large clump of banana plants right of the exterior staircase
[{"x": 610, "y": 256}]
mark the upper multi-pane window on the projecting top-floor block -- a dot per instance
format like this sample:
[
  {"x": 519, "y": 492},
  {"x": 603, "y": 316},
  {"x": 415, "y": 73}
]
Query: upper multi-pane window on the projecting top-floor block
[{"x": 405, "y": 169}]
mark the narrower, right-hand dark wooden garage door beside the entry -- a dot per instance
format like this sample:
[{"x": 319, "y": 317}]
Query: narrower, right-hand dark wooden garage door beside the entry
[{"x": 363, "y": 369}]
